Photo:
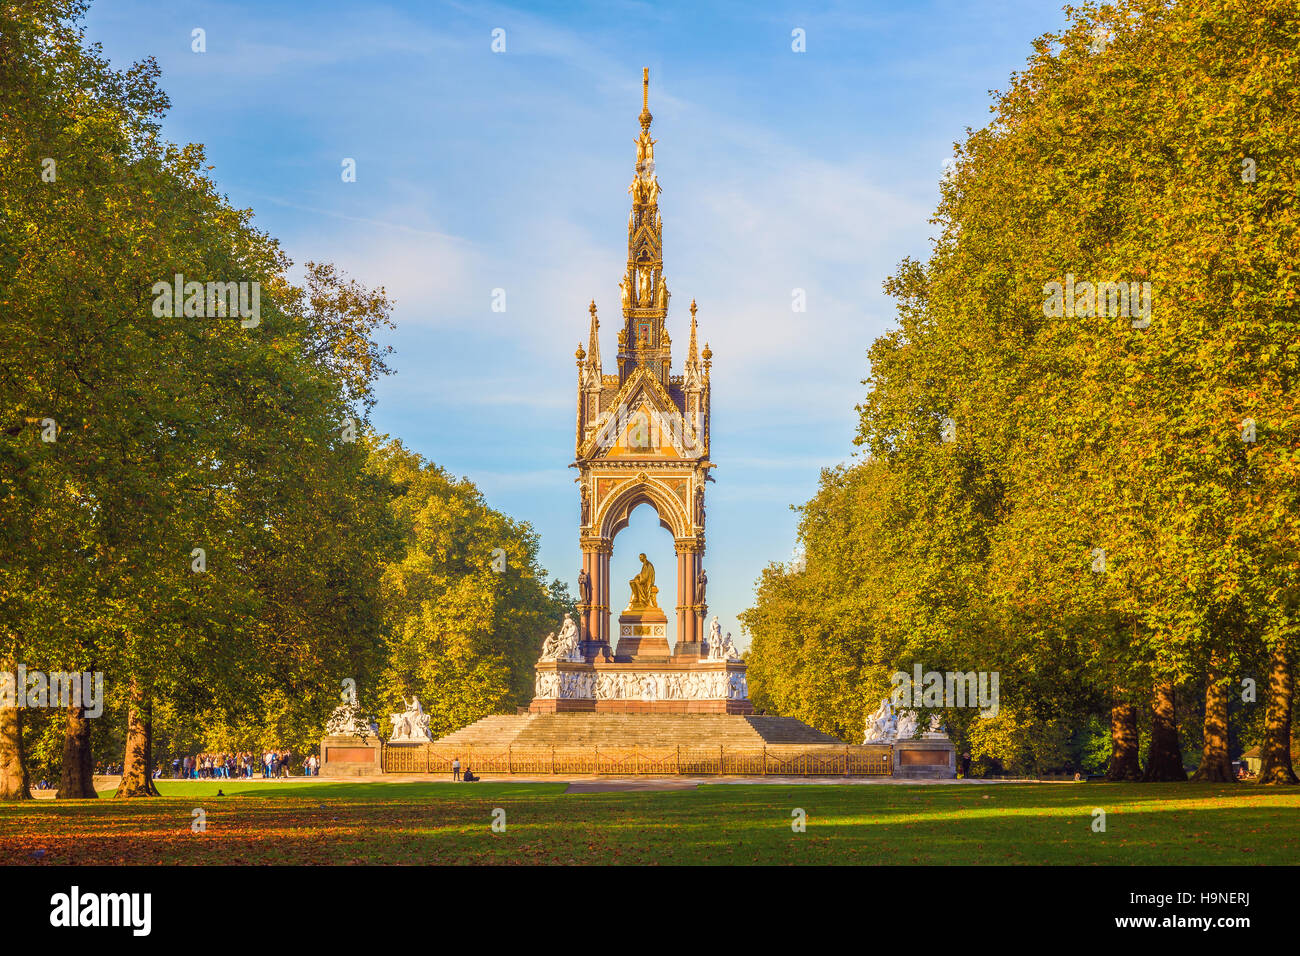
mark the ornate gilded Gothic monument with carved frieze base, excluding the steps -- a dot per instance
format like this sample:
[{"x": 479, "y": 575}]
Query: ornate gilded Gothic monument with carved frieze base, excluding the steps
[{"x": 643, "y": 439}]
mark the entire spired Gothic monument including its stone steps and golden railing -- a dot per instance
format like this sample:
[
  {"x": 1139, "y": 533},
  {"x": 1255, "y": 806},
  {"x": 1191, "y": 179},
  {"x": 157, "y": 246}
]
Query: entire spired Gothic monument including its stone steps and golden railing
[{"x": 627, "y": 700}]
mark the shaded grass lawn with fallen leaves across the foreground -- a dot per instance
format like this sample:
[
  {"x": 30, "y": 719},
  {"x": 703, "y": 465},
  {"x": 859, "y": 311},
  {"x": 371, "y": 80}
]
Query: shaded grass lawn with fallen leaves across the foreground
[{"x": 452, "y": 824}]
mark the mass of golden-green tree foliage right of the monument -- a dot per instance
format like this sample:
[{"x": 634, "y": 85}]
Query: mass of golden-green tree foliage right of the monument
[{"x": 1095, "y": 498}]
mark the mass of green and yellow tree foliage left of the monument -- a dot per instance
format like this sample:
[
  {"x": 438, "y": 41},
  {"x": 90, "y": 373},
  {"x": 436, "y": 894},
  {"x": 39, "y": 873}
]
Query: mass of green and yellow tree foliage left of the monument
[{"x": 194, "y": 503}]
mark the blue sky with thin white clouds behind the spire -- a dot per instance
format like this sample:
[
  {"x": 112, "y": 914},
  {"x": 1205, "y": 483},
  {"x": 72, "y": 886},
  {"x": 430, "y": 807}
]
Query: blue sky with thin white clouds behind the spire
[{"x": 480, "y": 171}]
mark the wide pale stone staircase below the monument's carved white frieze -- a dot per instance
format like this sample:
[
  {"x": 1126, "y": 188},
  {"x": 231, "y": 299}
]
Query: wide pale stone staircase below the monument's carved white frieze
[{"x": 584, "y": 730}]
